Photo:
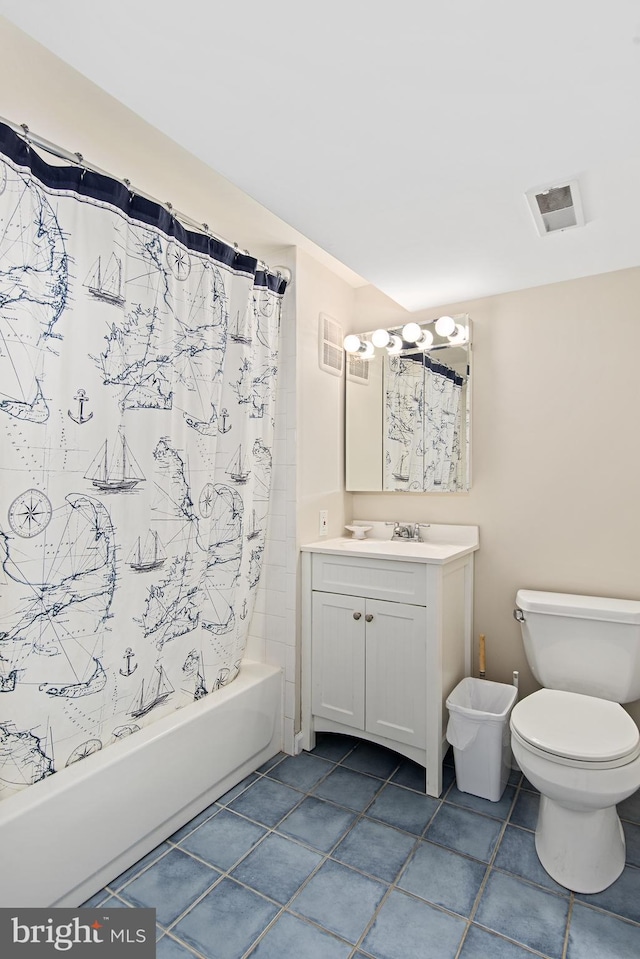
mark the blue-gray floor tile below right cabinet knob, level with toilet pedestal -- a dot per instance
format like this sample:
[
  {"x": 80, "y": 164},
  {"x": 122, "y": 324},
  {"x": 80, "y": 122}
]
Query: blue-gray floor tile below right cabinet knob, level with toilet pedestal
[{"x": 376, "y": 849}]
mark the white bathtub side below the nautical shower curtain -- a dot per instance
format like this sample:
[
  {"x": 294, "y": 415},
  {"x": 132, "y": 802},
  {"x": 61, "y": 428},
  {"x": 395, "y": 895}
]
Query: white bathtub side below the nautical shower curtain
[{"x": 67, "y": 836}]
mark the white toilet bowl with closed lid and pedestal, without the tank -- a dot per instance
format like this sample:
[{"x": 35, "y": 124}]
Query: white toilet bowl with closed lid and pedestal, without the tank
[{"x": 583, "y": 754}]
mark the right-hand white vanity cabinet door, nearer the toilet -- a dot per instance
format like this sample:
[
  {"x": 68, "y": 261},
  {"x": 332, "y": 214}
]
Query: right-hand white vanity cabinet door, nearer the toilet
[{"x": 396, "y": 682}]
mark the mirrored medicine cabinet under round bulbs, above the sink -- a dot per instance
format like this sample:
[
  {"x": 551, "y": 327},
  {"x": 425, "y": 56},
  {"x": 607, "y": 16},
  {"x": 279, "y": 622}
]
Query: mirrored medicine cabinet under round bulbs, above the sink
[{"x": 408, "y": 413}]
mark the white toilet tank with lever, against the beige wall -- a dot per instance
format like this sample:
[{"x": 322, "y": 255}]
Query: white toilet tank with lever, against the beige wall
[{"x": 583, "y": 644}]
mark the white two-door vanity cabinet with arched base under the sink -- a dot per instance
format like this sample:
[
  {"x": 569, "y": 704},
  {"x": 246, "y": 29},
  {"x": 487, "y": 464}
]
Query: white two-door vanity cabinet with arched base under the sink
[{"x": 386, "y": 635}]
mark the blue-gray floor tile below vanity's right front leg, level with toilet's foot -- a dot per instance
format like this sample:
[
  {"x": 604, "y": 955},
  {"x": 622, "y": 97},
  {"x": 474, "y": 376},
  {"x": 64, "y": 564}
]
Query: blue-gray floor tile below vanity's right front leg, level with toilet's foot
[{"x": 443, "y": 878}]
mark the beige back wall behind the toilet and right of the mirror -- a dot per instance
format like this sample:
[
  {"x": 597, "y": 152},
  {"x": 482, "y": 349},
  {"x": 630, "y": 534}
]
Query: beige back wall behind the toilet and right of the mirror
[{"x": 555, "y": 450}]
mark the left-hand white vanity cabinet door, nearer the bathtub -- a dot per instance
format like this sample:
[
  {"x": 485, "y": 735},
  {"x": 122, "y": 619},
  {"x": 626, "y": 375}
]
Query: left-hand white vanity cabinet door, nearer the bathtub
[{"x": 337, "y": 658}]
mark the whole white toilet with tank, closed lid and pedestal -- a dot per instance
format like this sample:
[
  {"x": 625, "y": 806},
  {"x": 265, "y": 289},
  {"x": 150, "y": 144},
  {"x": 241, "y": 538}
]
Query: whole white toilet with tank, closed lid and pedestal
[{"x": 572, "y": 739}]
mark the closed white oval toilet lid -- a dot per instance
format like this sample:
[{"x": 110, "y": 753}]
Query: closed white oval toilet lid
[{"x": 574, "y": 726}]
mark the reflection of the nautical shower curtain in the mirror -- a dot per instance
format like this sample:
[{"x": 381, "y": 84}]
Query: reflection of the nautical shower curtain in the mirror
[{"x": 422, "y": 406}]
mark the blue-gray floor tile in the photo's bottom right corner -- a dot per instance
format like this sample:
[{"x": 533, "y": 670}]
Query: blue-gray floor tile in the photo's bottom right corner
[{"x": 593, "y": 934}]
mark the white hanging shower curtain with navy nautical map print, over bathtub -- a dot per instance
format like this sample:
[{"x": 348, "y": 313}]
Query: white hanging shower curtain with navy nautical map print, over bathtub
[{"x": 138, "y": 367}]
